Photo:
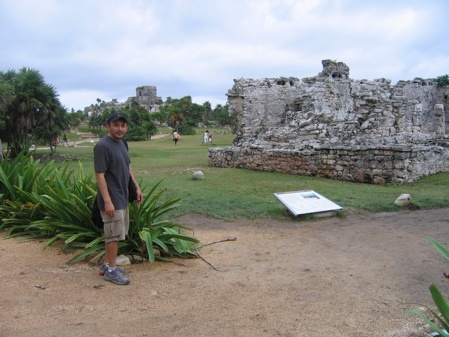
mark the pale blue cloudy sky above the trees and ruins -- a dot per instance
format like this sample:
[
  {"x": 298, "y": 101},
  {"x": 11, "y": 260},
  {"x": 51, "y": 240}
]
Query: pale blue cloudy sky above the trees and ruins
[{"x": 89, "y": 49}]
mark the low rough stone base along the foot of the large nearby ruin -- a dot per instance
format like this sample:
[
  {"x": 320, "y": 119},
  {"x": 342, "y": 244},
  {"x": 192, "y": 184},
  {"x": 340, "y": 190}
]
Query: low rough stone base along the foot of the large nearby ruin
[{"x": 379, "y": 165}]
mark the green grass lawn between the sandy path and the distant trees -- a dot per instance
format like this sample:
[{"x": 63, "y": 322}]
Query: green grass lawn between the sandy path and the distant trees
[{"x": 232, "y": 193}]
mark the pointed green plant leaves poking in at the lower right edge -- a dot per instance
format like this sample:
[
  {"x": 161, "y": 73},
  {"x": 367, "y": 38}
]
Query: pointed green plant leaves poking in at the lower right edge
[{"x": 442, "y": 313}]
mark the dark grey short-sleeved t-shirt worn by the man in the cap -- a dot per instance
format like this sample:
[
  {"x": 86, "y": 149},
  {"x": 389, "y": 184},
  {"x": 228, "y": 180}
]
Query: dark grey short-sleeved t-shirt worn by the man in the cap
[{"x": 111, "y": 158}]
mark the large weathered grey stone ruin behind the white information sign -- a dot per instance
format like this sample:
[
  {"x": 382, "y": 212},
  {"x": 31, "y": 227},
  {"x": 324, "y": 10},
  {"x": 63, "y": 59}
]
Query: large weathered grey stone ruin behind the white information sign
[{"x": 335, "y": 127}]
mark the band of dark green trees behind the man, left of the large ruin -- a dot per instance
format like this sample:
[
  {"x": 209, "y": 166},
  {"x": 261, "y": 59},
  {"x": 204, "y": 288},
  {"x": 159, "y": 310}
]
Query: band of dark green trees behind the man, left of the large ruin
[{"x": 31, "y": 113}]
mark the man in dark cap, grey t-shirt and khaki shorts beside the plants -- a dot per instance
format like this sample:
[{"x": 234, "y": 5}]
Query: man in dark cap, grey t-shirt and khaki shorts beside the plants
[{"x": 112, "y": 172}]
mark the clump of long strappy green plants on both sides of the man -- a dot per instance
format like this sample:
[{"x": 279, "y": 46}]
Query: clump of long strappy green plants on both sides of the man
[{"x": 45, "y": 201}]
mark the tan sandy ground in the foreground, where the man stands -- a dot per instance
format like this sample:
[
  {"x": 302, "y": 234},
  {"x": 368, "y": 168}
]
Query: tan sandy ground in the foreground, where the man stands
[{"x": 332, "y": 277}]
